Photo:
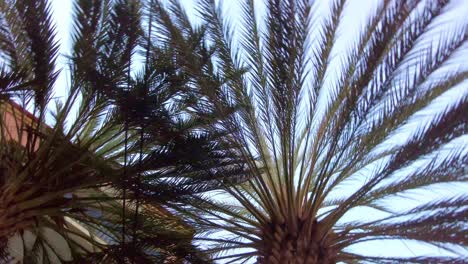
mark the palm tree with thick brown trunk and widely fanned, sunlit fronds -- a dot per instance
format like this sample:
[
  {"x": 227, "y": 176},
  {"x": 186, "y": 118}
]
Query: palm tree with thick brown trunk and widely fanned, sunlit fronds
[{"x": 326, "y": 131}]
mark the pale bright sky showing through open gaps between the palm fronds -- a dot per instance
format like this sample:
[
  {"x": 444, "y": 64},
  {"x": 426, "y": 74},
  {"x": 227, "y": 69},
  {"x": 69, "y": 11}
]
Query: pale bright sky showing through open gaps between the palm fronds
[{"x": 355, "y": 14}]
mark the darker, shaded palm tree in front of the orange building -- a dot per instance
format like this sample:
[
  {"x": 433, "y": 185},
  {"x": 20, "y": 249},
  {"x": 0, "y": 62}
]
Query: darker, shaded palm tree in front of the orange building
[{"x": 75, "y": 178}]
